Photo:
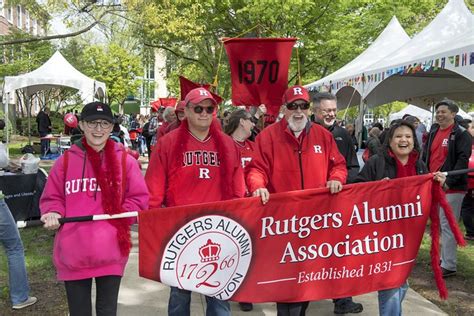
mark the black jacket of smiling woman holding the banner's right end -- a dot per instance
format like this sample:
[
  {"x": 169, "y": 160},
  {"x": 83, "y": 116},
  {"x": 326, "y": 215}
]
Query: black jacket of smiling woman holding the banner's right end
[{"x": 381, "y": 166}]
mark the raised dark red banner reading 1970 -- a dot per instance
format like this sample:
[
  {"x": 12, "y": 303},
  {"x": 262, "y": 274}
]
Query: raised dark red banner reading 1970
[{"x": 259, "y": 69}]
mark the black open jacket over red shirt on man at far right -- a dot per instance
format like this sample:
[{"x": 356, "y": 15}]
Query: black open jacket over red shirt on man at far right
[{"x": 459, "y": 151}]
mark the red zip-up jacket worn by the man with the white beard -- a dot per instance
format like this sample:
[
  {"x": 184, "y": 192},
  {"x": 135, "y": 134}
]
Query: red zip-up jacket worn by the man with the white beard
[{"x": 281, "y": 163}]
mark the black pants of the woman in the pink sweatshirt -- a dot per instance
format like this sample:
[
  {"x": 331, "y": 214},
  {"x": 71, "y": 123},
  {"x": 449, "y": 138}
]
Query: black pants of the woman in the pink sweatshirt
[{"x": 79, "y": 296}]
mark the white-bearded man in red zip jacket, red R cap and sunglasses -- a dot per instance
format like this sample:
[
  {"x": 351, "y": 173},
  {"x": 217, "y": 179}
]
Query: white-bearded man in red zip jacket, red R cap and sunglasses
[{"x": 295, "y": 154}]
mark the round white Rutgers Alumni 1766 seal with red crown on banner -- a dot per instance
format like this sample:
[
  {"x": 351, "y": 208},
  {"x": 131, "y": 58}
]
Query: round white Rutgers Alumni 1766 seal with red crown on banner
[{"x": 210, "y": 255}]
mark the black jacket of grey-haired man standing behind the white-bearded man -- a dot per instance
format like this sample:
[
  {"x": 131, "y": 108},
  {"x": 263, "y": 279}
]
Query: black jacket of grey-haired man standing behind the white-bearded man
[{"x": 346, "y": 148}]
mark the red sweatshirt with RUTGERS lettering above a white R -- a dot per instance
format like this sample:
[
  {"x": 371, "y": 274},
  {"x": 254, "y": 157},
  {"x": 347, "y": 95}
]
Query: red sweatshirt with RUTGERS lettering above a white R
[{"x": 195, "y": 174}]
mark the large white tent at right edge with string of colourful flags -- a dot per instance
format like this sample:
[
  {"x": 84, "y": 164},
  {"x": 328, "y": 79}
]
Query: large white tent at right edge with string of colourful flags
[{"x": 436, "y": 63}]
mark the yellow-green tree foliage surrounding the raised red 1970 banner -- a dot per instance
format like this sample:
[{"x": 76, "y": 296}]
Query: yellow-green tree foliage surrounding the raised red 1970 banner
[{"x": 330, "y": 33}]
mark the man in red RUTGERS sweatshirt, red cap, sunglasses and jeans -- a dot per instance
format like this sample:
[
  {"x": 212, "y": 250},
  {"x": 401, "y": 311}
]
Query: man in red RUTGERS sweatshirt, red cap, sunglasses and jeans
[{"x": 195, "y": 163}]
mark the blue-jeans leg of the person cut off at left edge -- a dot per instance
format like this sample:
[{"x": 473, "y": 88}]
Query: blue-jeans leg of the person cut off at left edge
[{"x": 11, "y": 242}]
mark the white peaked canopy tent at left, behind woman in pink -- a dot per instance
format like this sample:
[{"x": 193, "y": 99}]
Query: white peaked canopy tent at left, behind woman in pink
[{"x": 57, "y": 71}]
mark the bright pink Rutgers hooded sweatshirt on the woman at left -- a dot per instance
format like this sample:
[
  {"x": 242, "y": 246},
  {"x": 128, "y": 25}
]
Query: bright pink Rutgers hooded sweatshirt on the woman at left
[{"x": 88, "y": 249}]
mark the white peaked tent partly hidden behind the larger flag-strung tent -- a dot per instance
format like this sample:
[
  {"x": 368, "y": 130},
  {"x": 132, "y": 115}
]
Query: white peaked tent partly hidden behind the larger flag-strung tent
[{"x": 341, "y": 82}]
